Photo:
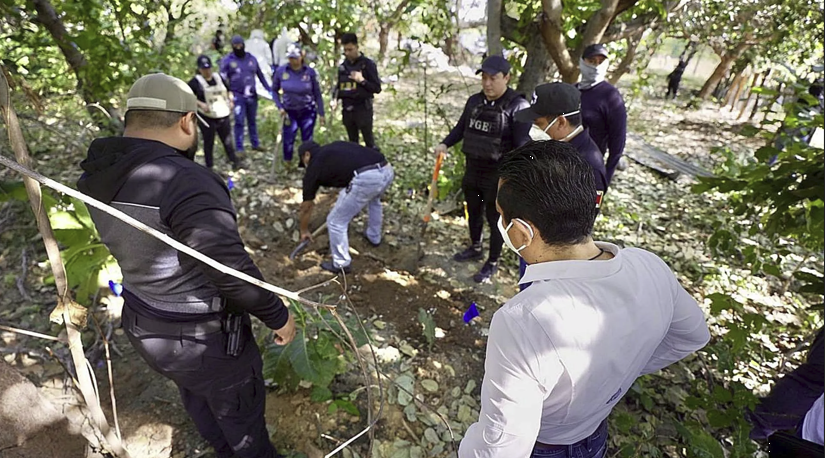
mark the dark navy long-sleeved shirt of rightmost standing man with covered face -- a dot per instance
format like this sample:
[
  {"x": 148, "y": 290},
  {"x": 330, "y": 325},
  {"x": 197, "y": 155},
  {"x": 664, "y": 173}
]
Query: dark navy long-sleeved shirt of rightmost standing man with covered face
[{"x": 604, "y": 113}]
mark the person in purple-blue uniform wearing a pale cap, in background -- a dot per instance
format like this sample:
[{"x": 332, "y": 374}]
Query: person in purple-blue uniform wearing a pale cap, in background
[{"x": 302, "y": 102}]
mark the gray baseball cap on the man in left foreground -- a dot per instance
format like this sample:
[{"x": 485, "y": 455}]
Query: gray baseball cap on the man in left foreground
[{"x": 161, "y": 92}]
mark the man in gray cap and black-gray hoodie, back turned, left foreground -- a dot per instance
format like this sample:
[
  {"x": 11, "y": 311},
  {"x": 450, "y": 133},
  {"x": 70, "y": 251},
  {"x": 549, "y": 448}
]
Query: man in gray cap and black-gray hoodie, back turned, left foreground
[{"x": 188, "y": 321}]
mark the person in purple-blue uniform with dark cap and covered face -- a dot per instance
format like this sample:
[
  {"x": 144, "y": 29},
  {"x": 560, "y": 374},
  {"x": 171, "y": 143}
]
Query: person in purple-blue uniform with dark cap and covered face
[{"x": 240, "y": 68}]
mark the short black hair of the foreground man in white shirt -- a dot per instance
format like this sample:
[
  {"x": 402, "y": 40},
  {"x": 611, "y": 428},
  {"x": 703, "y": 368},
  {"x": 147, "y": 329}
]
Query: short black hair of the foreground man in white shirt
[{"x": 550, "y": 185}]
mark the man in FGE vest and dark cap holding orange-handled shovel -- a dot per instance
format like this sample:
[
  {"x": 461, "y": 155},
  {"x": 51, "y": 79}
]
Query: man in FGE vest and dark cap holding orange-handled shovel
[{"x": 489, "y": 130}]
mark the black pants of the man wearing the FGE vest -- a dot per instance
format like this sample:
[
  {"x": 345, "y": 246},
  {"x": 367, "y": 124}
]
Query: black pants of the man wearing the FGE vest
[{"x": 480, "y": 185}]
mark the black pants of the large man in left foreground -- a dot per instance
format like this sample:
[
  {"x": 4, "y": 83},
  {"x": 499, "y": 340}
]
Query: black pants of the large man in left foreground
[{"x": 224, "y": 395}]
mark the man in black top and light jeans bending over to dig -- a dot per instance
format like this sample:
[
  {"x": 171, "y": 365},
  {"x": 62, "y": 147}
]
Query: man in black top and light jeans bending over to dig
[{"x": 364, "y": 175}]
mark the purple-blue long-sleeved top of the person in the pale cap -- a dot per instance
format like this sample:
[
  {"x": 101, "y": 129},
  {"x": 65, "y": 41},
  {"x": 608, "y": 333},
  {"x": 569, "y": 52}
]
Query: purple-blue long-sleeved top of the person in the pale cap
[{"x": 301, "y": 89}]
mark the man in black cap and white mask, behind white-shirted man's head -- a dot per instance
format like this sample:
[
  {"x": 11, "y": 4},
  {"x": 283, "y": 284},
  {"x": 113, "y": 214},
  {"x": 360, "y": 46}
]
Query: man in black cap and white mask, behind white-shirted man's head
[{"x": 556, "y": 110}]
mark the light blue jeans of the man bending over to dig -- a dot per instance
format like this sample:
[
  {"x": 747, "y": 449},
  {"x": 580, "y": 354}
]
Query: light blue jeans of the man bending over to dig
[{"x": 365, "y": 190}]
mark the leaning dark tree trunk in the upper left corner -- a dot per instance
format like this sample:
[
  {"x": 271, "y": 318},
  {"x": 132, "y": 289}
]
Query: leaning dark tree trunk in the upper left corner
[{"x": 104, "y": 115}]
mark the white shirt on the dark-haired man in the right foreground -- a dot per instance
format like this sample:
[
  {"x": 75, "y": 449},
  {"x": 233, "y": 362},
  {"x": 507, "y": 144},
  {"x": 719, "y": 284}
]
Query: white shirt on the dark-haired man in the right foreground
[{"x": 563, "y": 352}]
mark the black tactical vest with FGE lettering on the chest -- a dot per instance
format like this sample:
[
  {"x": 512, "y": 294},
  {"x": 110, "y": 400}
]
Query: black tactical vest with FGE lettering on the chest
[{"x": 485, "y": 129}]
